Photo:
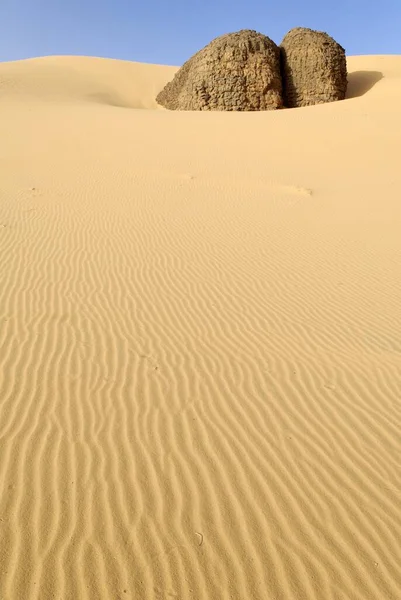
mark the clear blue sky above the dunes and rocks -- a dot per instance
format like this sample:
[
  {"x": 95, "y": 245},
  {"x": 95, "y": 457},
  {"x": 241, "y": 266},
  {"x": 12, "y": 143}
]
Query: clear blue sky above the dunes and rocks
[{"x": 169, "y": 32}]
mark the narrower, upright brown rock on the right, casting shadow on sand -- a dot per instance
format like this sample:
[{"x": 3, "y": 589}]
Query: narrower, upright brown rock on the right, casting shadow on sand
[{"x": 313, "y": 67}]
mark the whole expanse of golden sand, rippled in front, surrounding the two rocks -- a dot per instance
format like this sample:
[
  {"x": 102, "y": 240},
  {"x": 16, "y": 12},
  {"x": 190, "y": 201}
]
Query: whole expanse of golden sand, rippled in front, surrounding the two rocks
[{"x": 200, "y": 341}]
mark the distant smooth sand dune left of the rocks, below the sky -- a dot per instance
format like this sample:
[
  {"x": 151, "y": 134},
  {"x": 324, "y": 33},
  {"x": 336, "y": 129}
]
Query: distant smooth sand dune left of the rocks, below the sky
[{"x": 72, "y": 79}]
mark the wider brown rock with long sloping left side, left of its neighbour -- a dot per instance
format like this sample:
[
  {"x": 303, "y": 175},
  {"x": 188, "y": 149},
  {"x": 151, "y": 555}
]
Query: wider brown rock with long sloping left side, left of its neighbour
[{"x": 237, "y": 71}]
